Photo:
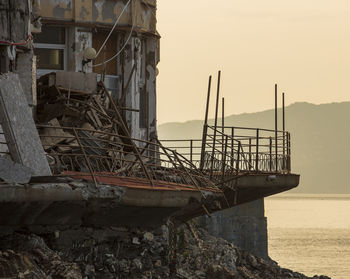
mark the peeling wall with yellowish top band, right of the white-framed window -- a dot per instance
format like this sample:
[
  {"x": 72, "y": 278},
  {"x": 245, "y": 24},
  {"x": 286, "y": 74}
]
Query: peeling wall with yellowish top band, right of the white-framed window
[{"x": 87, "y": 24}]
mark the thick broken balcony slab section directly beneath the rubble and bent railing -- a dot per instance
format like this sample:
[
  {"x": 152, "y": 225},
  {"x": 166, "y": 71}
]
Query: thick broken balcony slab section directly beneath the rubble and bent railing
[{"x": 77, "y": 203}]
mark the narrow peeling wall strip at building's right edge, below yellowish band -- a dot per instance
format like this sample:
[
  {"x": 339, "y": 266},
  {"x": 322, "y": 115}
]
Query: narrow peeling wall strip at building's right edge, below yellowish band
[{"x": 140, "y": 93}]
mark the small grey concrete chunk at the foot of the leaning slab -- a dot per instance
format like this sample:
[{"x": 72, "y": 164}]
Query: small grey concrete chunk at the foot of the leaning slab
[{"x": 12, "y": 172}]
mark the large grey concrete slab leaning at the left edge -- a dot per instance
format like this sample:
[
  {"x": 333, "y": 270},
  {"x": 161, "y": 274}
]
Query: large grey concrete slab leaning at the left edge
[{"x": 19, "y": 128}]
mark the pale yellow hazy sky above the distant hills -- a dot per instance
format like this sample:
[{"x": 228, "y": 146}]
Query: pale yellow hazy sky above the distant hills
[{"x": 303, "y": 45}]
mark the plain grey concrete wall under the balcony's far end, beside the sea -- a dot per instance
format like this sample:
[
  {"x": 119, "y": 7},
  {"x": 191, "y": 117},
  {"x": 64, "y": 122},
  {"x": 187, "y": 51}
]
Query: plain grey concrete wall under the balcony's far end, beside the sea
[{"x": 244, "y": 225}]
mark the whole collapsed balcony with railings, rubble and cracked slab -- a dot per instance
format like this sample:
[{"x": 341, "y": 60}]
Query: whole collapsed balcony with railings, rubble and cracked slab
[{"x": 102, "y": 175}]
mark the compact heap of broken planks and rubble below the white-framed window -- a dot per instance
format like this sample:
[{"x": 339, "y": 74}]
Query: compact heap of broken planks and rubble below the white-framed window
[{"x": 74, "y": 124}]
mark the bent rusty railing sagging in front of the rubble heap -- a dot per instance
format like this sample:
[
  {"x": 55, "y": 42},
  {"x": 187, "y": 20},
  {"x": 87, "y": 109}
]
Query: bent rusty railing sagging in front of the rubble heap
[{"x": 101, "y": 153}]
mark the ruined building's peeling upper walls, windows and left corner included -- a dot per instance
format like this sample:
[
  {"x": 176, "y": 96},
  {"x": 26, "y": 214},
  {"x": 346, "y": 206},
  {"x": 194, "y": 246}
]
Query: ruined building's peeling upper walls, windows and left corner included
[{"x": 61, "y": 31}]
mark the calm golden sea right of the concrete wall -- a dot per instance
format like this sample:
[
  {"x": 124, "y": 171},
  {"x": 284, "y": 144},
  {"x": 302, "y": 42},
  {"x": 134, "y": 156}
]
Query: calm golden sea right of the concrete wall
[{"x": 310, "y": 233}]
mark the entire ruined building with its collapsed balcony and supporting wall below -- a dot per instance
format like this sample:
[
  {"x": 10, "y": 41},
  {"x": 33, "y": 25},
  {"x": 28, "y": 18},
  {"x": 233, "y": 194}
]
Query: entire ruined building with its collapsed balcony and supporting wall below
[{"x": 79, "y": 145}]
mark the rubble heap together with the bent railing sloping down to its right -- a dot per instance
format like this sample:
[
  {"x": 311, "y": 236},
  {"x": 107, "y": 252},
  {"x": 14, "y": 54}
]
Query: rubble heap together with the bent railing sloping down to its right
[{"x": 85, "y": 131}]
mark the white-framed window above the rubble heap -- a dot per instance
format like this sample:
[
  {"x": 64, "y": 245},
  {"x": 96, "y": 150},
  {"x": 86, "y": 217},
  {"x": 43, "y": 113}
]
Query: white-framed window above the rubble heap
[{"x": 50, "y": 49}]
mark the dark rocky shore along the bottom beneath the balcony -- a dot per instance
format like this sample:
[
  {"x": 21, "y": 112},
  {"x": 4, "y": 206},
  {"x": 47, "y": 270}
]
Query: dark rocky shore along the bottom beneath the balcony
[{"x": 122, "y": 253}]
